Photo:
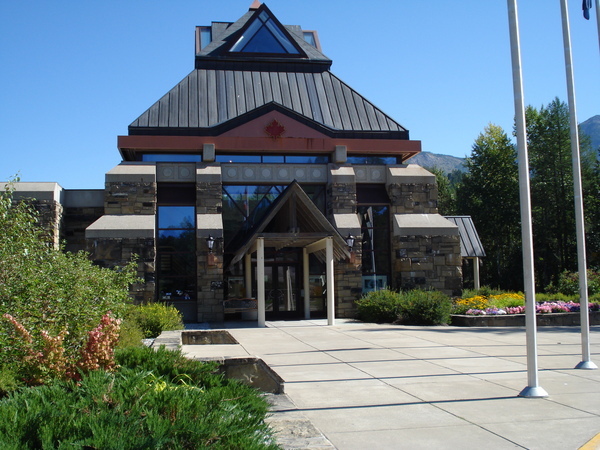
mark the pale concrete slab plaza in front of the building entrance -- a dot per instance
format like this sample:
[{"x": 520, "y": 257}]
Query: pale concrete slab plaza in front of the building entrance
[{"x": 387, "y": 386}]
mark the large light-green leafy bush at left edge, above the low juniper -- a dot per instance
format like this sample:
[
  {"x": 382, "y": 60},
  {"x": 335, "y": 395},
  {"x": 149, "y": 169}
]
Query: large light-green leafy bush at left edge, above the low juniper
[{"x": 47, "y": 290}]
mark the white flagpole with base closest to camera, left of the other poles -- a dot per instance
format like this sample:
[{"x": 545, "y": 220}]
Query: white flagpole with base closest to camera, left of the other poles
[{"x": 533, "y": 389}]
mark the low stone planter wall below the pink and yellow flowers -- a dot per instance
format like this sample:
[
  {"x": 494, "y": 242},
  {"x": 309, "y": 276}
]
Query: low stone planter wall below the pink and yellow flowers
[{"x": 518, "y": 320}]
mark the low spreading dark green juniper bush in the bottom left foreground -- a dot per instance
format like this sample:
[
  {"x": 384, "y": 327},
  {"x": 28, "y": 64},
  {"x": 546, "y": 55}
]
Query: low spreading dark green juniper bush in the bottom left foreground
[{"x": 134, "y": 408}]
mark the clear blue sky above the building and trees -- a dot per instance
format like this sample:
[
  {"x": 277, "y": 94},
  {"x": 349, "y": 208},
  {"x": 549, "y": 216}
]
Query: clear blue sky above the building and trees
[{"x": 75, "y": 74}]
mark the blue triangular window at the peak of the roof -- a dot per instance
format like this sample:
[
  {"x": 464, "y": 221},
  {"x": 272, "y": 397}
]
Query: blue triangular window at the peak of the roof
[{"x": 264, "y": 35}]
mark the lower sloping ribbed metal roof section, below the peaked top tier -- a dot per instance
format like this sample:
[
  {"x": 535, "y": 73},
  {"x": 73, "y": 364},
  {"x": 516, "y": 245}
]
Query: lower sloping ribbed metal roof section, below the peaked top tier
[{"x": 208, "y": 102}]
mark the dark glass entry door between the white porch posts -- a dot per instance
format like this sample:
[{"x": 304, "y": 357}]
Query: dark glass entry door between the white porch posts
[{"x": 282, "y": 294}]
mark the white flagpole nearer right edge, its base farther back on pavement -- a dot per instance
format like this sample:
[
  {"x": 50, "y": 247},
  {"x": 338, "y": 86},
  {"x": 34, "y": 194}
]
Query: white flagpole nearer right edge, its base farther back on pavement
[{"x": 586, "y": 362}]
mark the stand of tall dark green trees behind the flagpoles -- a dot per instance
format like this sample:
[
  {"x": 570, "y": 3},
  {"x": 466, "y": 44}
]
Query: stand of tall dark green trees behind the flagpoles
[{"x": 489, "y": 192}]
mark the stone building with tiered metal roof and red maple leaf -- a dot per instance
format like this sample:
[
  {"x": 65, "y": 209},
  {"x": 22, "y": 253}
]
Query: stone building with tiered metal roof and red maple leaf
[{"x": 263, "y": 175}]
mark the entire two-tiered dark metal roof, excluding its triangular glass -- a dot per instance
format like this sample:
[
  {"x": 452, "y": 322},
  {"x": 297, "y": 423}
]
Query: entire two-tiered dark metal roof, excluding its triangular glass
[{"x": 229, "y": 88}]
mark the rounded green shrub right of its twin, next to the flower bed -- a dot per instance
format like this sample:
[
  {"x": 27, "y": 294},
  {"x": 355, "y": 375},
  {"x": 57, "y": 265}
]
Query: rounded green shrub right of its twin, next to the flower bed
[{"x": 420, "y": 307}]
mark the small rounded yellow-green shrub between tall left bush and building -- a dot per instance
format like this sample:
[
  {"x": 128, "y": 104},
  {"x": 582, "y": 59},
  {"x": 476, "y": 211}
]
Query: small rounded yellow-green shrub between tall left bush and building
[{"x": 154, "y": 318}]
